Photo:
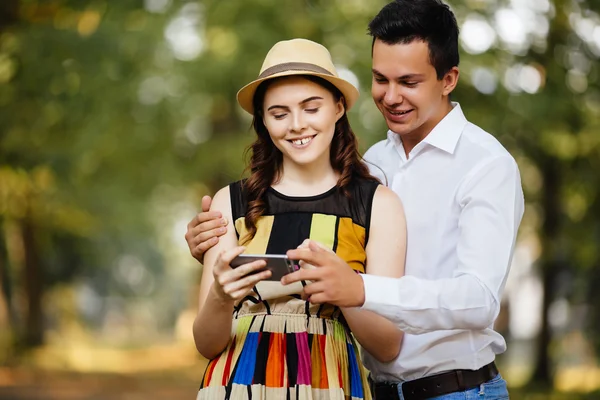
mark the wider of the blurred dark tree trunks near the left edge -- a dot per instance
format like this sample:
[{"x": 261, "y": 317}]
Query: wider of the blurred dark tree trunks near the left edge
[{"x": 33, "y": 285}]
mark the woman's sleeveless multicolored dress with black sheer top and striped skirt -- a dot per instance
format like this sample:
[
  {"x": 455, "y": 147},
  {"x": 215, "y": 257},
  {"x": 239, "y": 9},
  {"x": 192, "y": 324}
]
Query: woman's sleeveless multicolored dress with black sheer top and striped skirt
[{"x": 283, "y": 347}]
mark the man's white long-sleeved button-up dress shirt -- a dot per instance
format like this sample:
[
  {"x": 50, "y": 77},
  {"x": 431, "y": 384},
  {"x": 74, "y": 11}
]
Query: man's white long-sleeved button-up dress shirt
[{"x": 462, "y": 196}]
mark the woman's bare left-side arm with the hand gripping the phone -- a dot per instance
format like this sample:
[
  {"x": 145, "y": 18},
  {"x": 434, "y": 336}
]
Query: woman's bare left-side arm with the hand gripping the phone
[{"x": 221, "y": 286}]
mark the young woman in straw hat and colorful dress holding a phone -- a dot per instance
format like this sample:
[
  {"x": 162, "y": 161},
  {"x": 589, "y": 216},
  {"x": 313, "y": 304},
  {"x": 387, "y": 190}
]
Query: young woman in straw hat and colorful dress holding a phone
[{"x": 306, "y": 181}]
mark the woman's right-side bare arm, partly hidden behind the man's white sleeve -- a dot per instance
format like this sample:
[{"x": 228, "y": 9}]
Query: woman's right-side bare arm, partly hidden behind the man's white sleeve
[{"x": 386, "y": 253}]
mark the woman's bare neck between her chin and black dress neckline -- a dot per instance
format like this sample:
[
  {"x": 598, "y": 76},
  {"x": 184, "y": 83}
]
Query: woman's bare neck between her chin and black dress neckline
[{"x": 306, "y": 180}]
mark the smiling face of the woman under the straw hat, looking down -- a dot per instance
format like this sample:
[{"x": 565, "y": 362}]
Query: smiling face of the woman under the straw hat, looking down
[{"x": 300, "y": 116}]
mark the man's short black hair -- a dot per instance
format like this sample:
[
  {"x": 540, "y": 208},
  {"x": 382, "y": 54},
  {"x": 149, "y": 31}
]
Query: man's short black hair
[{"x": 403, "y": 21}]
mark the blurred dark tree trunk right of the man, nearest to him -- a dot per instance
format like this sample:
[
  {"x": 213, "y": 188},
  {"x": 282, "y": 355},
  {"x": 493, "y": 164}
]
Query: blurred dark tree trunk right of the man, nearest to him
[{"x": 550, "y": 265}]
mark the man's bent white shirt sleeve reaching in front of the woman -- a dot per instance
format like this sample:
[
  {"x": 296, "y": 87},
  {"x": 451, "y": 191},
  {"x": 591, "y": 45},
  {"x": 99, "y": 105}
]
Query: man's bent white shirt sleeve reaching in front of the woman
[{"x": 491, "y": 199}]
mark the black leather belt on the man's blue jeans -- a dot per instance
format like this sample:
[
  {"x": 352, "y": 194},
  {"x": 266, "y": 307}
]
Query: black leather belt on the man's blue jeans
[{"x": 457, "y": 380}]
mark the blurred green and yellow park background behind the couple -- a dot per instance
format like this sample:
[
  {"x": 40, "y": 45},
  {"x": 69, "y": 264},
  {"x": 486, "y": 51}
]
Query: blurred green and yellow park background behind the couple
[{"x": 116, "y": 116}]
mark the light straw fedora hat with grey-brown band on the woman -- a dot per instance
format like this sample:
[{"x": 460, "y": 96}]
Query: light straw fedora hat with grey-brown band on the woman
[{"x": 297, "y": 57}]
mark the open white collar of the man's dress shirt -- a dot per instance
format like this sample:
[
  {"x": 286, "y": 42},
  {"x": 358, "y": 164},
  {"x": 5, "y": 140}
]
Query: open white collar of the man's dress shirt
[{"x": 444, "y": 135}]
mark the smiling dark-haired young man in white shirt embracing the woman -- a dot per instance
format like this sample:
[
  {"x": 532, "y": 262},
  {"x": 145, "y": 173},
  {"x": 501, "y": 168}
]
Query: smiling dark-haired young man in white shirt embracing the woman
[{"x": 463, "y": 200}]
